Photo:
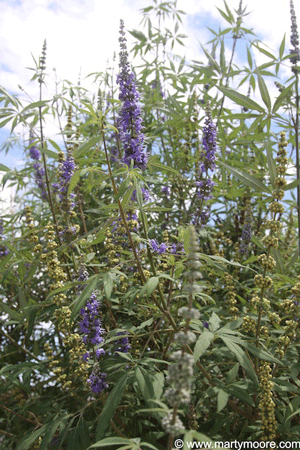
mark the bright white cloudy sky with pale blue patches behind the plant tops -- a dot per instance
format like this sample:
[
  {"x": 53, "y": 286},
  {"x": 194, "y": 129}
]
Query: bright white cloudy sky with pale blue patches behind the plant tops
[{"x": 83, "y": 34}]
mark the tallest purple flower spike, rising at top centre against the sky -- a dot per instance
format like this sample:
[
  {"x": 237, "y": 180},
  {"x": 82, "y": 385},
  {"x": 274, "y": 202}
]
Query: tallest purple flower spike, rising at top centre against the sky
[{"x": 130, "y": 121}]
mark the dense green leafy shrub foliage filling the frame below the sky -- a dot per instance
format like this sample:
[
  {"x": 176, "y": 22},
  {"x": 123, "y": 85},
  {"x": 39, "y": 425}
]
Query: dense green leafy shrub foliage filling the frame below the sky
[{"x": 127, "y": 240}]
